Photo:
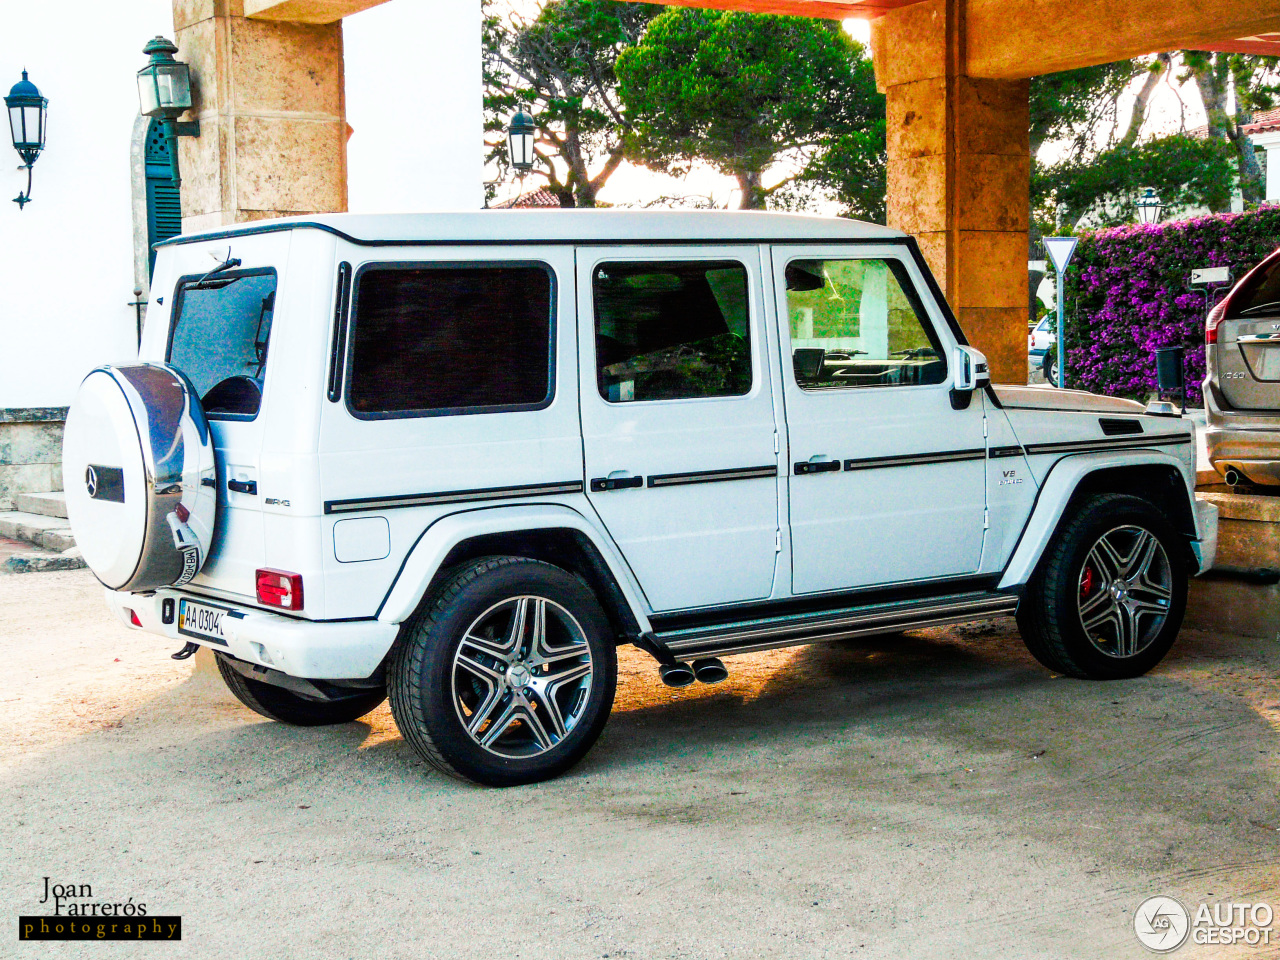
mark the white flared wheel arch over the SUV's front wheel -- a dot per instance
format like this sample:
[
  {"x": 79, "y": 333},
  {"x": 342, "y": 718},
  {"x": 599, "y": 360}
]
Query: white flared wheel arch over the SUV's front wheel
[{"x": 1154, "y": 477}]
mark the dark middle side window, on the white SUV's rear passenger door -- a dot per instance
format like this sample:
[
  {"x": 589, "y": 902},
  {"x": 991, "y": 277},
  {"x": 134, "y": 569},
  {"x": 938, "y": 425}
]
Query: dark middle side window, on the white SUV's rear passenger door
[{"x": 671, "y": 331}]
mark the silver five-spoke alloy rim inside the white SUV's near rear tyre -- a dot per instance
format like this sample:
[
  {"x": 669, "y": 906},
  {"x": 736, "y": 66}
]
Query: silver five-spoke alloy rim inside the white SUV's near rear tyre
[{"x": 522, "y": 678}]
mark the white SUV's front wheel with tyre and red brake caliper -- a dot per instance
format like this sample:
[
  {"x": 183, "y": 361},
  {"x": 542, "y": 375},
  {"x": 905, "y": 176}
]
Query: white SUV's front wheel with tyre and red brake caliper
[{"x": 1108, "y": 598}]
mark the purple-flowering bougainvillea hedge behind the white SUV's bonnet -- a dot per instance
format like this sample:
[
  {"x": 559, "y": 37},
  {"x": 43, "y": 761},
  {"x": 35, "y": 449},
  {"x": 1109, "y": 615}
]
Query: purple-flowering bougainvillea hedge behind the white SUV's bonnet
[{"x": 1128, "y": 294}]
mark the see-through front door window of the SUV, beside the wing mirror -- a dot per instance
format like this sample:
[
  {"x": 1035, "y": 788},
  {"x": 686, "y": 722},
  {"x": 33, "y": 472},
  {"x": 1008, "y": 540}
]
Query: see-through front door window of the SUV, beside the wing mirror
[{"x": 858, "y": 323}]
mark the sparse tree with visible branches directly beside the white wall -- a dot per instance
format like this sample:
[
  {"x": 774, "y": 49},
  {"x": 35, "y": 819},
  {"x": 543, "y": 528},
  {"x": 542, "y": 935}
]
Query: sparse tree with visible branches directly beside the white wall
[{"x": 563, "y": 63}]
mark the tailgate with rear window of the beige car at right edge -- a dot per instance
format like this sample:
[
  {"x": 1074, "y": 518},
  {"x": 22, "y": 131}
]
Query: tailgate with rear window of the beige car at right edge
[{"x": 1249, "y": 346}]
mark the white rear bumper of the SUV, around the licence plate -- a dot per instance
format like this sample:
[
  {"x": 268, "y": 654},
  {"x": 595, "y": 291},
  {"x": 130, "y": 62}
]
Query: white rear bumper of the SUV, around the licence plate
[{"x": 301, "y": 648}]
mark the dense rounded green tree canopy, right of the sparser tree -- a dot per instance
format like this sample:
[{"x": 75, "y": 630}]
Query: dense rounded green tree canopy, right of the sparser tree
[{"x": 746, "y": 93}]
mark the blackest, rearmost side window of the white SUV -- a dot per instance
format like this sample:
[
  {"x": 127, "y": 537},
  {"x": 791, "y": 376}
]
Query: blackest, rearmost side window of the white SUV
[{"x": 451, "y": 339}]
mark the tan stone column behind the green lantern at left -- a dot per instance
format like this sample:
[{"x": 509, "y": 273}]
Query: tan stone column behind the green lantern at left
[{"x": 272, "y": 109}]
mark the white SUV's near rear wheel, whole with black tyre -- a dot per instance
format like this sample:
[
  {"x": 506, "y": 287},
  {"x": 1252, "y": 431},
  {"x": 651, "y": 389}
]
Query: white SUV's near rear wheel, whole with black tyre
[{"x": 508, "y": 674}]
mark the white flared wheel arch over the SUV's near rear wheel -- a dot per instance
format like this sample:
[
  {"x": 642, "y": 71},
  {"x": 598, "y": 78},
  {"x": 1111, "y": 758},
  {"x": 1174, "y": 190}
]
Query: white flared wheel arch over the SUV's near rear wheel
[{"x": 552, "y": 533}]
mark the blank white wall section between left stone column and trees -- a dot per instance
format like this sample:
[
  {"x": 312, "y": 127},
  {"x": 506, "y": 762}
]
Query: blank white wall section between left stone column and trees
[{"x": 414, "y": 99}]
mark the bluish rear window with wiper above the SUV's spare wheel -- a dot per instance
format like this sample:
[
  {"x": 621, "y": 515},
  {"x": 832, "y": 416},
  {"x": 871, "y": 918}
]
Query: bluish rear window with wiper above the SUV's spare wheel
[{"x": 222, "y": 327}]
